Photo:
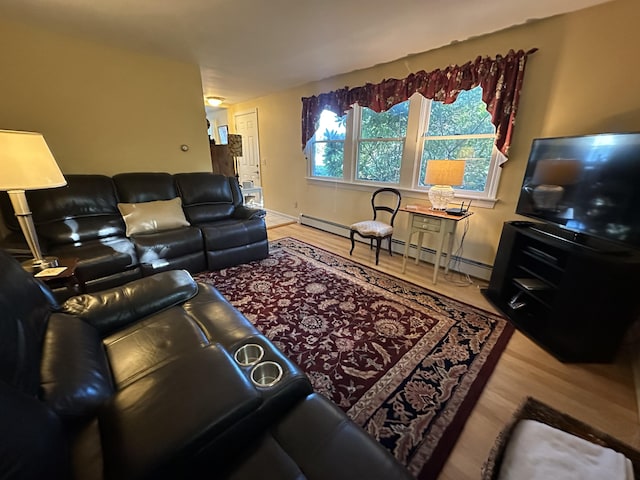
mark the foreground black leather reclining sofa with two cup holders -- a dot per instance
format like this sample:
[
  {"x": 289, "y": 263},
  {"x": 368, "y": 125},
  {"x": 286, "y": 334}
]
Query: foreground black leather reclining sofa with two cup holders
[{"x": 140, "y": 382}]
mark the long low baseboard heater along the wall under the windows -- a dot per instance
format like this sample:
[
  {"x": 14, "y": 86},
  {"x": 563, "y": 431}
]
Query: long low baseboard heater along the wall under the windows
[{"x": 461, "y": 264}]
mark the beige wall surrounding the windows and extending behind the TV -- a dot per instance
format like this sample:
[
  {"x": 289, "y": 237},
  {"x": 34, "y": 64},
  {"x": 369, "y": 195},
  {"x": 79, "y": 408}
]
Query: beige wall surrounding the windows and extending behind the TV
[{"x": 583, "y": 79}]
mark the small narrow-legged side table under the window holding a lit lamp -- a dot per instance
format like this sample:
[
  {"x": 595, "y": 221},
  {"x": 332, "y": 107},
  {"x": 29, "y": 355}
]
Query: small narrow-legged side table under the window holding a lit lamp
[{"x": 425, "y": 220}]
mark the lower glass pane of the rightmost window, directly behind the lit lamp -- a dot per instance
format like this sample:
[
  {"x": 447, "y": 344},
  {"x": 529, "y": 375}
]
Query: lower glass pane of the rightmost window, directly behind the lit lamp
[{"x": 476, "y": 151}]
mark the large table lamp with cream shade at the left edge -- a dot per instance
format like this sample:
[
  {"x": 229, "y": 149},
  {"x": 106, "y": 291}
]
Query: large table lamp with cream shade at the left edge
[{"x": 26, "y": 163}]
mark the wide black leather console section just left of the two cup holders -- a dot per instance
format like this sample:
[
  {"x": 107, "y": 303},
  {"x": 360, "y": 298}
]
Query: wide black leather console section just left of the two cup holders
[{"x": 154, "y": 427}]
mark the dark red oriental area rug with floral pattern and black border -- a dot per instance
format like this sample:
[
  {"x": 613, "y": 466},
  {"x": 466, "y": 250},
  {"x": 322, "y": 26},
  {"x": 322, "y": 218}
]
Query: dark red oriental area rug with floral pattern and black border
[{"x": 405, "y": 363}]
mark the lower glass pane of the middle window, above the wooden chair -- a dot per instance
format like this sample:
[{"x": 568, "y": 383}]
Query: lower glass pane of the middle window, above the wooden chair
[{"x": 379, "y": 161}]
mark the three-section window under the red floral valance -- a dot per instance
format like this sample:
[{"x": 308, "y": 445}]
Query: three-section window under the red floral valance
[{"x": 394, "y": 147}]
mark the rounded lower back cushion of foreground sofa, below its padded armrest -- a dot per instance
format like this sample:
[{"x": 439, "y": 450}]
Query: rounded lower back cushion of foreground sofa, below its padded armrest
[{"x": 75, "y": 376}]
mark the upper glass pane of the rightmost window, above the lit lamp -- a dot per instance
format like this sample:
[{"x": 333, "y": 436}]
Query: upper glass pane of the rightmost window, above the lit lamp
[{"x": 466, "y": 116}]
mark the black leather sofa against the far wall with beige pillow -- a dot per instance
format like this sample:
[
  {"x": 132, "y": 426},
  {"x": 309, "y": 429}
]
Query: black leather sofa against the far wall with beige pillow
[{"x": 83, "y": 220}]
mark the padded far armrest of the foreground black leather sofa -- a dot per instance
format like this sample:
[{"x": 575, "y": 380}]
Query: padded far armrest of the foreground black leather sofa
[{"x": 112, "y": 309}]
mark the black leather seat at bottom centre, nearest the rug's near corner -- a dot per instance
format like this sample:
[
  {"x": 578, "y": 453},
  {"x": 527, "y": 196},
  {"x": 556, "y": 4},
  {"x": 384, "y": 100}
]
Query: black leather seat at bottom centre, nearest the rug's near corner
[{"x": 315, "y": 440}]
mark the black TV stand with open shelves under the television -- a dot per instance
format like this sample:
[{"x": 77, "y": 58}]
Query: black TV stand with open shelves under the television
[{"x": 574, "y": 300}]
